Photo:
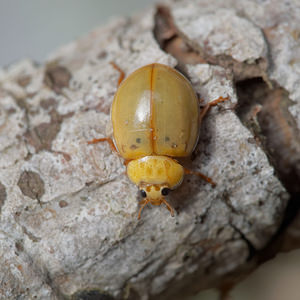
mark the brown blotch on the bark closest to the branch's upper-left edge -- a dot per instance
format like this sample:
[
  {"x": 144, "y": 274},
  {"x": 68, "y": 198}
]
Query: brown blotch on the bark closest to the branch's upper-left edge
[{"x": 57, "y": 77}]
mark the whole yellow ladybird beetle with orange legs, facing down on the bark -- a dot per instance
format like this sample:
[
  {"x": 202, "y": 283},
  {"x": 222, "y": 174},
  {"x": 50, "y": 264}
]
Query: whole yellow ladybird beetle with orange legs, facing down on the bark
[{"x": 155, "y": 116}]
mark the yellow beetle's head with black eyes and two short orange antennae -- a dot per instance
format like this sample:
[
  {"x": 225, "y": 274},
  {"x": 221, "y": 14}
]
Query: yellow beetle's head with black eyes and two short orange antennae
[{"x": 154, "y": 194}]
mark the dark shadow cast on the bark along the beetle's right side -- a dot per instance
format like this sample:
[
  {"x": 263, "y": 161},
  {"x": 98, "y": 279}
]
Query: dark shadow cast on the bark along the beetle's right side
[{"x": 201, "y": 157}]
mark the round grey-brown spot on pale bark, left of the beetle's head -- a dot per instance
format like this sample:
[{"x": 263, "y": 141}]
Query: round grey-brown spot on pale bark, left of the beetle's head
[{"x": 31, "y": 185}]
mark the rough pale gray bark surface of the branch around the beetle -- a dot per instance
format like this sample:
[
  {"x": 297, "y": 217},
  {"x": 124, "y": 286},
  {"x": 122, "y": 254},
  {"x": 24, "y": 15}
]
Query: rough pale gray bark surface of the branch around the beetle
[{"x": 69, "y": 223}]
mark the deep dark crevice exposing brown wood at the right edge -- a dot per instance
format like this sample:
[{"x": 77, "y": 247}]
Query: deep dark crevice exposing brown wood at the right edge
[{"x": 264, "y": 112}]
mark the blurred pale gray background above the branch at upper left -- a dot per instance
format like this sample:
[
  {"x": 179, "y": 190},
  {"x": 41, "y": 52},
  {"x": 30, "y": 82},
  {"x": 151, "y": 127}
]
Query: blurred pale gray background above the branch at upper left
[{"x": 34, "y": 28}]
